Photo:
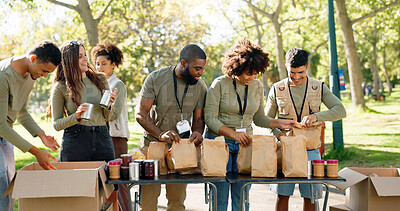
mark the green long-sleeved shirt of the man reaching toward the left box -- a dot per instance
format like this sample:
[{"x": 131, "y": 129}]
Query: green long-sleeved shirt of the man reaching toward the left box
[{"x": 14, "y": 94}]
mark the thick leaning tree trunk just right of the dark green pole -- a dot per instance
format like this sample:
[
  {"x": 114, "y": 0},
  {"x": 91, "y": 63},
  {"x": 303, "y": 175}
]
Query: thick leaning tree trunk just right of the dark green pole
[{"x": 354, "y": 65}]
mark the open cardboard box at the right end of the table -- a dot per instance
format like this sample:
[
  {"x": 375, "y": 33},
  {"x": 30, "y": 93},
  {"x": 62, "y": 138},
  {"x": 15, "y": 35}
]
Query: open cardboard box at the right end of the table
[{"x": 371, "y": 189}]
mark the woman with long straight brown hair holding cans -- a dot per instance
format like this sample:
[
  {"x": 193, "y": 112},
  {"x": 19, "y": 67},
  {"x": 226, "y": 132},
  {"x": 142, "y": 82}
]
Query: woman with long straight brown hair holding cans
[{"x": 76, "y": 84}]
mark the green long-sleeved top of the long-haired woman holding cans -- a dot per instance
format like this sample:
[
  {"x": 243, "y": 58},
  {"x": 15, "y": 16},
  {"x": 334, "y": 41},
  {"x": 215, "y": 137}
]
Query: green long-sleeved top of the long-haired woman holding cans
[{"x": 61, "y": 101}]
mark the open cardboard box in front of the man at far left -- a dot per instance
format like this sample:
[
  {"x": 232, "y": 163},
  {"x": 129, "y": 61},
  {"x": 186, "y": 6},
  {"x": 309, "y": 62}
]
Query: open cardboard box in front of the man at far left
[{"x": 73, "y": 186}]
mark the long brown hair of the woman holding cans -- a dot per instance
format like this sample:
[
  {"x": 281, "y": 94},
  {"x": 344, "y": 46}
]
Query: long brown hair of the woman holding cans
[{"x": 69, "y": 72}]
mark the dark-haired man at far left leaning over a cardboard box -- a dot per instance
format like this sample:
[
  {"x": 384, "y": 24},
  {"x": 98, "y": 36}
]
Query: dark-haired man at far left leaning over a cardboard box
[{"x": 17, "y": 76}]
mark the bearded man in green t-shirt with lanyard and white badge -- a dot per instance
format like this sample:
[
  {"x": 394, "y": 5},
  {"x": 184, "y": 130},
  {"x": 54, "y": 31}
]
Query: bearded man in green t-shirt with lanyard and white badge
[{"x": 169, "y": 100}]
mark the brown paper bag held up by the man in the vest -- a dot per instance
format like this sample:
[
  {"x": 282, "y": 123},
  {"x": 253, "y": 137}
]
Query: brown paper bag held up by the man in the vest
[{"x": 312, "y": 134}]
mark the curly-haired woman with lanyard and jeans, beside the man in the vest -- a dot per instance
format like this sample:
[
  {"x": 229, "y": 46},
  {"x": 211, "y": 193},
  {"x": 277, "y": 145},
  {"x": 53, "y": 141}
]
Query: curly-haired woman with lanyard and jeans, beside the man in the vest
[{"x": 233, "y": 102}]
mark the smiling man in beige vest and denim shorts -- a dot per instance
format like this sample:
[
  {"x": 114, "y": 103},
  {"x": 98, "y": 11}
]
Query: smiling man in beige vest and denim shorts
[{"x": 299, "y": 97}]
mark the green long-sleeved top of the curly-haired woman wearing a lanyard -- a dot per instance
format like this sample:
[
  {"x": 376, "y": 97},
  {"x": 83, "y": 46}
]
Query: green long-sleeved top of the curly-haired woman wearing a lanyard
[{"x": 222, "y": 106}]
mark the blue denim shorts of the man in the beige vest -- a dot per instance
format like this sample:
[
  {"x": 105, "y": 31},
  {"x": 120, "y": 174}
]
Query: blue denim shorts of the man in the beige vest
[{"x": 288, "y": 189}]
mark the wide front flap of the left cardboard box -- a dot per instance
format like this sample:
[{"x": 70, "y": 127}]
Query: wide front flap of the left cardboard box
[{"x": 47, "y": 183}]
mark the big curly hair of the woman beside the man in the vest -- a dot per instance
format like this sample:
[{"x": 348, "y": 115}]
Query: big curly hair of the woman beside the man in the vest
[{"x": 244, "y": 56}]
